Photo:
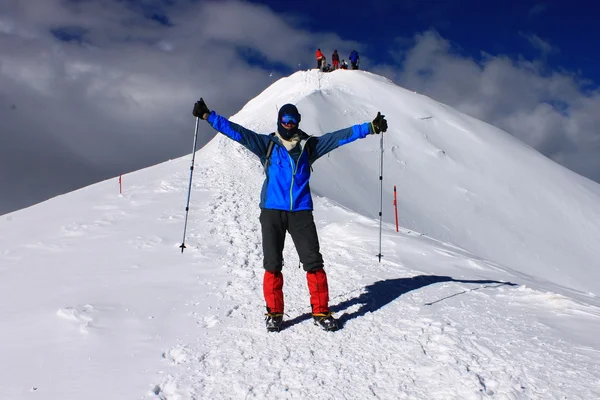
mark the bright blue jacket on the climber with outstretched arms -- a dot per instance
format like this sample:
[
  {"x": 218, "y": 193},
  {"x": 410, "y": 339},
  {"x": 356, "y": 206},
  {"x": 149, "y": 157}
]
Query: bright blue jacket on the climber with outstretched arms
[{"x": 287, "y": 174}]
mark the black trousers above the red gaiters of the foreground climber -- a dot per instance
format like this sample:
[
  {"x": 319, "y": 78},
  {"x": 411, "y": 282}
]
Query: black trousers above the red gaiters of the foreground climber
[{"x": 301, "y": 226}]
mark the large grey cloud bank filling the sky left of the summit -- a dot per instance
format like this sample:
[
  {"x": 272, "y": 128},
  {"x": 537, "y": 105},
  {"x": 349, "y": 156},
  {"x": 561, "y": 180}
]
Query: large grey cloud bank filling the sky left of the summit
[{"x": 121, "y": 97}]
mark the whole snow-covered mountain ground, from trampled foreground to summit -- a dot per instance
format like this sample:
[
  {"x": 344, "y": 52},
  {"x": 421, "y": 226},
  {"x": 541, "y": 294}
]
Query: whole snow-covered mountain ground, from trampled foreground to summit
[{"x": 489, "y": 291}]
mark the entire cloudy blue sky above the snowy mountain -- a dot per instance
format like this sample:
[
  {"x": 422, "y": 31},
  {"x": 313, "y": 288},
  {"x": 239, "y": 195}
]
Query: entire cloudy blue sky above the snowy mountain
[{"x": 112, "y": 82}]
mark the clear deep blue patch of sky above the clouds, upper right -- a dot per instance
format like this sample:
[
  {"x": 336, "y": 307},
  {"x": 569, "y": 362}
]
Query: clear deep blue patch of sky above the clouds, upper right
[{"x": 563, "y": 30}]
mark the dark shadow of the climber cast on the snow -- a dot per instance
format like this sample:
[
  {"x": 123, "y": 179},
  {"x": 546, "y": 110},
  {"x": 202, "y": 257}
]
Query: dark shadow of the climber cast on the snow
[{"x": 381, "y": 293}]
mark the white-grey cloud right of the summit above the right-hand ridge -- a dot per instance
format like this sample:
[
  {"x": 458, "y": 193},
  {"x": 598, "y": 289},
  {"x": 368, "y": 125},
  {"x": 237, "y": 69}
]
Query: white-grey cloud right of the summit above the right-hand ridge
[{"x": 547, "y": 109}]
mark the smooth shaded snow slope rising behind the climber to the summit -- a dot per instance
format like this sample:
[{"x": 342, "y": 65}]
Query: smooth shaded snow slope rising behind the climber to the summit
[{"x": 459, "y": 180}]
